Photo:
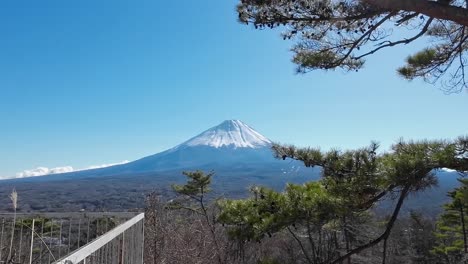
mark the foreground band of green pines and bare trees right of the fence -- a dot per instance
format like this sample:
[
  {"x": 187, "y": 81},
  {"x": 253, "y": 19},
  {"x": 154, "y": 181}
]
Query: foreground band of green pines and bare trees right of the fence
[{"x": 326, "y": 221}]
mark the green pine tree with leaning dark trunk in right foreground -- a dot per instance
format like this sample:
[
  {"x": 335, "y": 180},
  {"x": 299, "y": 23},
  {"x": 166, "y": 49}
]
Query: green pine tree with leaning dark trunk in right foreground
[{"x": 329, "y": 216}]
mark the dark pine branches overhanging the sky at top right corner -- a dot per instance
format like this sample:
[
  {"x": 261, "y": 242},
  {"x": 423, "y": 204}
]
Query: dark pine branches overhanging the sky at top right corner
[{"x": 342, "y": 34}]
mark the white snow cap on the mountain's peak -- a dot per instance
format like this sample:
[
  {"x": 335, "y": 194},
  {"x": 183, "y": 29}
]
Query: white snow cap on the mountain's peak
[{"x": 230, "y": 133}]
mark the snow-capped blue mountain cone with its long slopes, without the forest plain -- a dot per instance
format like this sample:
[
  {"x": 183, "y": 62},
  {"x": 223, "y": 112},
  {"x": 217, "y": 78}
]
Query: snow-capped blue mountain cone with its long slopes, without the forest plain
[{"x": 230, "y": 146}]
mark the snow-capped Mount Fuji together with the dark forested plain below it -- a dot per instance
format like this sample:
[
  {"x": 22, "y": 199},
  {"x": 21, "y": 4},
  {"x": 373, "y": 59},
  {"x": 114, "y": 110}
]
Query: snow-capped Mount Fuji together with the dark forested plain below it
[{"x": 238, "y": 155}]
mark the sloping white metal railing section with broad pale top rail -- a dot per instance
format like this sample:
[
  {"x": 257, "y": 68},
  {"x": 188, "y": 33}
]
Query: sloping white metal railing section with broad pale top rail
[{"x": 121, "y": 245}]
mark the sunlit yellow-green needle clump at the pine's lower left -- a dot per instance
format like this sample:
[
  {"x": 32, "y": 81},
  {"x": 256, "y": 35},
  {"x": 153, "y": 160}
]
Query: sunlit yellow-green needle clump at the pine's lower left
[{"x": 269, "y": 211}]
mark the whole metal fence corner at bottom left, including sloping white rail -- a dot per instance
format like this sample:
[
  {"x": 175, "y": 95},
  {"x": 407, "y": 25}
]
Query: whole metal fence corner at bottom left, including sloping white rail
[{"x": 71, "y": 238}]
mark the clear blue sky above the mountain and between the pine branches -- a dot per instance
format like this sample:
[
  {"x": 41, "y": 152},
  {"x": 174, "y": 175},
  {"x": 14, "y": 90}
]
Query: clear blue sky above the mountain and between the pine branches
[{"x": 92, "y": 82}]
